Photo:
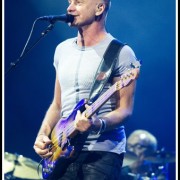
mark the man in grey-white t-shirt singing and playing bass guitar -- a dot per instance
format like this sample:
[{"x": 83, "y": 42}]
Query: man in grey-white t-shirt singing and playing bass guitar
[{"x": 76, "y": 61}]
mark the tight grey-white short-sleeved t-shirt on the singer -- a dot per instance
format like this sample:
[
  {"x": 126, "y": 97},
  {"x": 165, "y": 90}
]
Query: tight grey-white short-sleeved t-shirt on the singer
[{"x": 76, "y": 68}]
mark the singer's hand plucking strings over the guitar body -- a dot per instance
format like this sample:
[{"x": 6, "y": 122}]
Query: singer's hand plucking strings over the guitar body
[{"x": 41, "y": 146}]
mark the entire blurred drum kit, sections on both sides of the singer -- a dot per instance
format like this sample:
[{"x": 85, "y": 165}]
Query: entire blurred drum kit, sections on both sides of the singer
[{"x": 19, "y": 167}]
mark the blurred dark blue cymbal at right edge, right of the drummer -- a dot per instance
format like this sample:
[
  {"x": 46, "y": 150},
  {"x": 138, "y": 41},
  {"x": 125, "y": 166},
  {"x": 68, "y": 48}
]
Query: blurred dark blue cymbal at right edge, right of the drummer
[{"x": 161, "y": 157}]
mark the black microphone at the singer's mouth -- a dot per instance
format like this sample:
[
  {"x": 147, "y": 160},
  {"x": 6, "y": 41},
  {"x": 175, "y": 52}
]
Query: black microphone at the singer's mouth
[{"x": 67, "y": 18}]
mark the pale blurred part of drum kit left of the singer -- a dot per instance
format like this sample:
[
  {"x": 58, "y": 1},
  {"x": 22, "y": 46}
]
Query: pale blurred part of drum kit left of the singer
[{"x": 19, "y": 167}]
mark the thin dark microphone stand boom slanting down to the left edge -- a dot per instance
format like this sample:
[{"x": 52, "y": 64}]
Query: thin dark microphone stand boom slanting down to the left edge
[{"x": 43, "y": 34}]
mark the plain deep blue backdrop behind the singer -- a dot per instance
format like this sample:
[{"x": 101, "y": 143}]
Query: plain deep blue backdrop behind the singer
[{"x": 147, "y": 26}]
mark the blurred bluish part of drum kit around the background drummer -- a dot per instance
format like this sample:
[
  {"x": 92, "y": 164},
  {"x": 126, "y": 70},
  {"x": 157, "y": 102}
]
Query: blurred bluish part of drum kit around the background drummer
[{"x": 157, "y": 165}]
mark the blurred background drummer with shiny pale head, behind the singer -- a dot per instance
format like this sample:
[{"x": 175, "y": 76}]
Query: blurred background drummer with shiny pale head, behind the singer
[{"x": 142, "y": 144}]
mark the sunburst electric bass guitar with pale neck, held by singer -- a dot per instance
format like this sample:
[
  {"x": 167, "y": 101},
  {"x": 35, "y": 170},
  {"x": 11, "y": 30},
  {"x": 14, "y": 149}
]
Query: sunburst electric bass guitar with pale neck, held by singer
[{"x": 65, "y": 129}]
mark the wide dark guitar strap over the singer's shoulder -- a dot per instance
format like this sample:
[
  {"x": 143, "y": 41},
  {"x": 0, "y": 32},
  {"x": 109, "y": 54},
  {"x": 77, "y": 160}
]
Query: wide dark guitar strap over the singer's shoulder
[{"x": 105, "y": 68}]
